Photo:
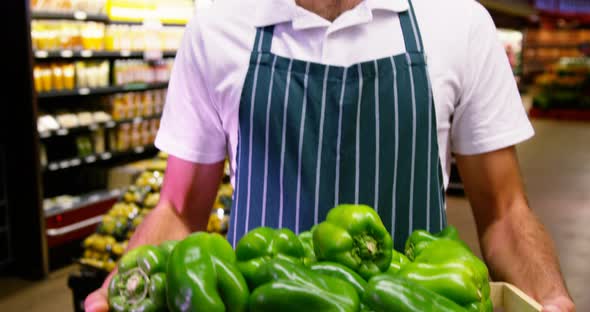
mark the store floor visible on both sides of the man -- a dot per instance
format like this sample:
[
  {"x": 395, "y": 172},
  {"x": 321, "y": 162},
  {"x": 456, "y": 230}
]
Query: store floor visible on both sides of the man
[{"x": 556, "y": 167}]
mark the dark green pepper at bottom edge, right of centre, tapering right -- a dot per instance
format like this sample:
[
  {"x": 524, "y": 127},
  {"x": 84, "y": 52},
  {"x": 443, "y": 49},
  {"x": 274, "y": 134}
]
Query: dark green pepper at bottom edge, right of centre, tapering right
[{"x": 386, "y": 293}]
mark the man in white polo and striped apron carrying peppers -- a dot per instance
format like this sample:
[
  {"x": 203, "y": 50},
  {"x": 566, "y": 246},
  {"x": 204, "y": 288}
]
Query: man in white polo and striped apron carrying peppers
[{"x": 348, "y": 101}]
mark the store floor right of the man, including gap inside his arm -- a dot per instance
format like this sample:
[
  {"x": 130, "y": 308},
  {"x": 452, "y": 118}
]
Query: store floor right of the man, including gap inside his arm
[{"x": 556, "y": 169}]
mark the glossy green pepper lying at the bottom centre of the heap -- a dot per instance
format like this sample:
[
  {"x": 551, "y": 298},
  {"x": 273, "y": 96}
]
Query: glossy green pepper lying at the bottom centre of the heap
[{"x": 286, "y": 286}]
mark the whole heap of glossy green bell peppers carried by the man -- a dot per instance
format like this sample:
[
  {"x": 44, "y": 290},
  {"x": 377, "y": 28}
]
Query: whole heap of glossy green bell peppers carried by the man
[{"x": 346, "y": 263}]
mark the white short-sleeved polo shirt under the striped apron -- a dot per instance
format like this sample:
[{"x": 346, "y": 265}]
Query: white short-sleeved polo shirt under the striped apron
[{"x": 478, "y": 106}]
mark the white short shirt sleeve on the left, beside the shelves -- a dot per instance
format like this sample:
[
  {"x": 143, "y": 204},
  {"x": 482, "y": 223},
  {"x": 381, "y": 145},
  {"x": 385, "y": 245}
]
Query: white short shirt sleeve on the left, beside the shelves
[{"x": 191, "y": 127}]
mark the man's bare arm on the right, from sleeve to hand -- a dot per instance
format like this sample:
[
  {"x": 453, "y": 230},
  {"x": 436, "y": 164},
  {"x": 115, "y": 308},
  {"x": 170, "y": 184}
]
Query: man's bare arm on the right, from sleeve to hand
[{"x": 514, "y": 243}]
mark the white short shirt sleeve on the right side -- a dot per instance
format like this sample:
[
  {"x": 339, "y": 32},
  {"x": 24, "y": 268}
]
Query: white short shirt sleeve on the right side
[{"x": 490, "y": 114}]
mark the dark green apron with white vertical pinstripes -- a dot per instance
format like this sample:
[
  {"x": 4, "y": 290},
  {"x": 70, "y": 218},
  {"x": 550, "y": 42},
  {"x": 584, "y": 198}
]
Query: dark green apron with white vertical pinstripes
[{"x": 312, "y": 136}]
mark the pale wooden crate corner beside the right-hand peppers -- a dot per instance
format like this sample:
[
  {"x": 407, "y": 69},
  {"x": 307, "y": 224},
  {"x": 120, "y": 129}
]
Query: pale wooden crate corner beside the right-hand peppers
[{"x": 508, "y": 298}]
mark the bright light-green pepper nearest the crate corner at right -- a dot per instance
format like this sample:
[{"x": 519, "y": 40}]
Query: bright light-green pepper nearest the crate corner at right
[{"x": 452, "y": 280}]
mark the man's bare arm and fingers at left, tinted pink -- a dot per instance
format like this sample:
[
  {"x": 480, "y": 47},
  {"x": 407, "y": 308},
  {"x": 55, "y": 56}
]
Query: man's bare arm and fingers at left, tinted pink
[{"x": 186, "y": 200}]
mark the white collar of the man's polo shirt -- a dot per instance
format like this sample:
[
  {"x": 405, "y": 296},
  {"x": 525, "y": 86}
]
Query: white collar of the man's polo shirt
[{"x": 272, "y": 12}]
